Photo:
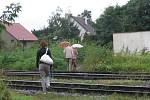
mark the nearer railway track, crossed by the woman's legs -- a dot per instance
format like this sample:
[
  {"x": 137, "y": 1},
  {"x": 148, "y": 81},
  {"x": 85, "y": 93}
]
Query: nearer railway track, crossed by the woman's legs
[{"x": 80, "y": 87}]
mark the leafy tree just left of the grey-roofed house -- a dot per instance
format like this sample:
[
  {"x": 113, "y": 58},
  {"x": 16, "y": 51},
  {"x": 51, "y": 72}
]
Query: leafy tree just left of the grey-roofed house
[{"x": 62, "y": 27}]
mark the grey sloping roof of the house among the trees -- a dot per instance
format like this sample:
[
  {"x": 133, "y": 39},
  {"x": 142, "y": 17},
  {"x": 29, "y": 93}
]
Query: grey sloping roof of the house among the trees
[{"x": 87, "y": 27}]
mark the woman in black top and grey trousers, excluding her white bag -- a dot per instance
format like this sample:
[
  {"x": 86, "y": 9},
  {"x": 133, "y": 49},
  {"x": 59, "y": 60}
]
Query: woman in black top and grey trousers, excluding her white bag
[{"x": 44, "y": 68}]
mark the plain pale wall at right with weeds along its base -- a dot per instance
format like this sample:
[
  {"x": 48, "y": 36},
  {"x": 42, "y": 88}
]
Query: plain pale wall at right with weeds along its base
[{"x": 131, "y": 42}]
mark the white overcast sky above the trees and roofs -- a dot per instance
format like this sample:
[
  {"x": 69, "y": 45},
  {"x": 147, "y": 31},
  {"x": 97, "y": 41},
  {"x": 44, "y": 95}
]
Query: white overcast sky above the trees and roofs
[{"x": 35, "y": 13}]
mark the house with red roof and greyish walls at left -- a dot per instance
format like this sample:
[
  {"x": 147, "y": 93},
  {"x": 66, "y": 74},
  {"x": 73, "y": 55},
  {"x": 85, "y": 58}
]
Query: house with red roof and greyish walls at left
[{"x": 16, "y": 34}]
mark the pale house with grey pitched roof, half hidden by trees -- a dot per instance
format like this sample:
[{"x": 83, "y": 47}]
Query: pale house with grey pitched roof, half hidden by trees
[{"x": 82, "y": 24}]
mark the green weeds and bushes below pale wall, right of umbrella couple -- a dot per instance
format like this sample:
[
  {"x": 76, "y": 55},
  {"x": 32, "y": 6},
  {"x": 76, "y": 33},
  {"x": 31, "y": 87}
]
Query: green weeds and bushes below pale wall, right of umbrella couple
[{"x": 101, "y": 59}]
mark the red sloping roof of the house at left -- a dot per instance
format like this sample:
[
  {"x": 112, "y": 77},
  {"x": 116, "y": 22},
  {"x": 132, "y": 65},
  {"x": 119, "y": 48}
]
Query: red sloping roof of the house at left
[{"x": 19, "y": 32}]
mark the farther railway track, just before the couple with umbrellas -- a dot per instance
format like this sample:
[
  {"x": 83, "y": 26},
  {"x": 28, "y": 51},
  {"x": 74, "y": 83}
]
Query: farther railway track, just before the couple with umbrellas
[{"x": 84, "y": 75}]
